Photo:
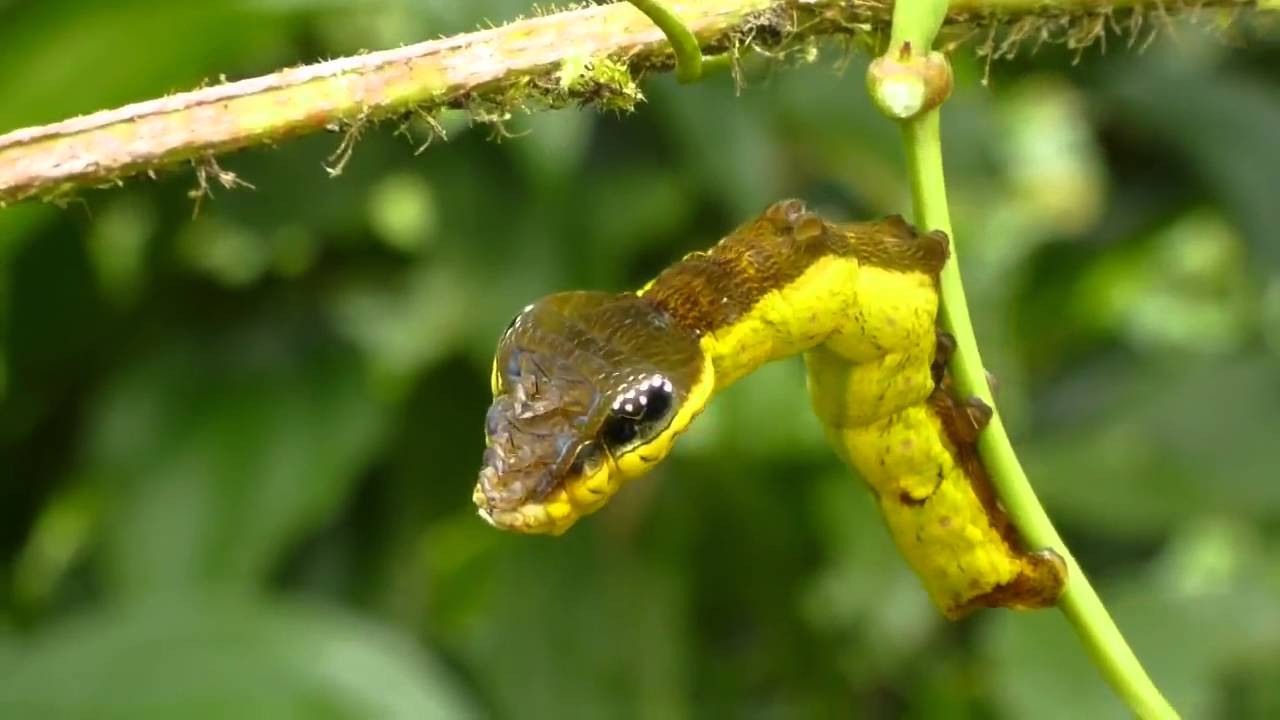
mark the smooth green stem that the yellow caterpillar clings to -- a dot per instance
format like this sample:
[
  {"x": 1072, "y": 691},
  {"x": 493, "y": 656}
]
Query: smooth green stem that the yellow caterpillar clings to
[{"x": 917, "y": 22}]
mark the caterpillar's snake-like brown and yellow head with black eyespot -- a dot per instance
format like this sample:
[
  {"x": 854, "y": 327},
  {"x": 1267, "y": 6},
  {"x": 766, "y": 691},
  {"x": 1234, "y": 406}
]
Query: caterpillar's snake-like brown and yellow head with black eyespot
[{"x": 591, "y": 389}]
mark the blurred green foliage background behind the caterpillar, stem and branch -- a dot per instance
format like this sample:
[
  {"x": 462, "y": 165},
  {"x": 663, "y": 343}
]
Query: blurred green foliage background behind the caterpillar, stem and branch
[{"x": 237, "y": 452}]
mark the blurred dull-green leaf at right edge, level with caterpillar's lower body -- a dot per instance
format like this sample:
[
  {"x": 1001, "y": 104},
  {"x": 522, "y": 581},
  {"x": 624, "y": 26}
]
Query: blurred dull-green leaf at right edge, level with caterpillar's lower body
[{"x": 1177, "y": 441}]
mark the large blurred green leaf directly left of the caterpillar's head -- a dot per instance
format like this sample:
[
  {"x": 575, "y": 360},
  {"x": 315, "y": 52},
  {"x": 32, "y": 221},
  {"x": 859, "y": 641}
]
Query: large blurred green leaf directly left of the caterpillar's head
[{"x": 213, "y": 459}]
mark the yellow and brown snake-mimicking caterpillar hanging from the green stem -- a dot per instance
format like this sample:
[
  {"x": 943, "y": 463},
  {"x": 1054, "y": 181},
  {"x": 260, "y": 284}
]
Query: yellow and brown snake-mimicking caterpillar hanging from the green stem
[{"x": 593, "y": 389}]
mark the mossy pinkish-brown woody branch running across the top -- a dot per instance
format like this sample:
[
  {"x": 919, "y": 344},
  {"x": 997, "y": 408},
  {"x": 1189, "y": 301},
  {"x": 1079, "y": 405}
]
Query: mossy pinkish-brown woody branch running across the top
[{"x": 509, "y": 69}]
